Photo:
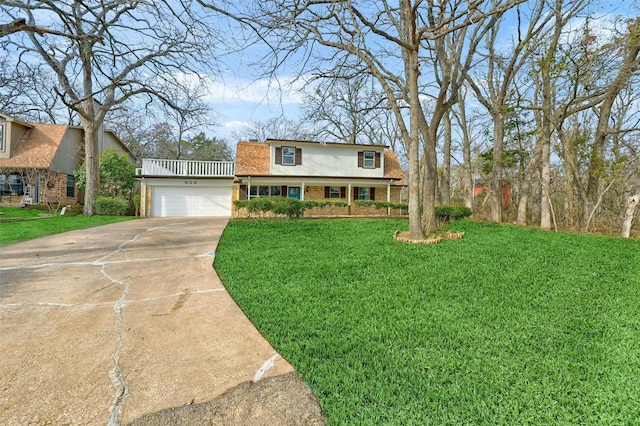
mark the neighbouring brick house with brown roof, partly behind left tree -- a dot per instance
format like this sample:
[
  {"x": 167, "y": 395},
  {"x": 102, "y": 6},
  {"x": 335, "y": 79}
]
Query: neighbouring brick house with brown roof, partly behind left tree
[{"x": 37, "y": 161}]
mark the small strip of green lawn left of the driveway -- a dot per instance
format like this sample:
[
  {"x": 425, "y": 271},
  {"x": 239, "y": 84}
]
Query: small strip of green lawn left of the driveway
[{"x": 24, "y": 230}]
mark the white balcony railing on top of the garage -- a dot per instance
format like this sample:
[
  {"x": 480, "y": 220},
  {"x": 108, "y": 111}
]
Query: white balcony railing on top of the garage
[{"x": 156, "y": 167}]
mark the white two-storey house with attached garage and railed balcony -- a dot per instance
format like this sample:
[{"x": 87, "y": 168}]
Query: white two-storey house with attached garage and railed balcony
[{"x": 277, "y": 168}]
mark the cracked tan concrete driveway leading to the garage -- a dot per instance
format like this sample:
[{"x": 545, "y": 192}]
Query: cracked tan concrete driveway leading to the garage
[{"x": 129, "y": 323}]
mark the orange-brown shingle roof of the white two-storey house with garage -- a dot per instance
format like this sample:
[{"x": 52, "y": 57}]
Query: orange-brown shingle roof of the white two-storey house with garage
[{"x": 252, "y": 159}]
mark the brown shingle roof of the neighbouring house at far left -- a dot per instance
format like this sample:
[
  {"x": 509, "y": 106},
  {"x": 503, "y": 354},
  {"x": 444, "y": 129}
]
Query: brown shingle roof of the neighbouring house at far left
[{"x": 37, "y": 147}]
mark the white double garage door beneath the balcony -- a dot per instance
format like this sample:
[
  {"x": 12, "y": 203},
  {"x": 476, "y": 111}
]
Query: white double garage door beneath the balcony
[{"x": 170, "y": 201}]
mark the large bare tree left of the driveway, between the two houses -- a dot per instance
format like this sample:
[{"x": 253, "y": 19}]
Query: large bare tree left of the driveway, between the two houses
[{"x": 107, "y": 53}]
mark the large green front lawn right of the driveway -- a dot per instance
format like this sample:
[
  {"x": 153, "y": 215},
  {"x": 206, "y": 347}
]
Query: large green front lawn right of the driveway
[{"x": 506, "y": 326}]
